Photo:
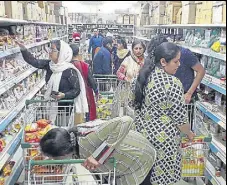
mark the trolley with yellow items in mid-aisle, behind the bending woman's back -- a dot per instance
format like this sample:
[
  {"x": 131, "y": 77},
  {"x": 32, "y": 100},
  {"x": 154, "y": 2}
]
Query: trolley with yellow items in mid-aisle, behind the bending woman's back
[{"x": 107, "y": 85}]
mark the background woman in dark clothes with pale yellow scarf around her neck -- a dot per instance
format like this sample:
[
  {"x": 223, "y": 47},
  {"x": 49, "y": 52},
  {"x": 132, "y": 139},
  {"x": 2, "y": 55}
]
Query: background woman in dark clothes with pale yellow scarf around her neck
[{"x": 120, "y": 54}]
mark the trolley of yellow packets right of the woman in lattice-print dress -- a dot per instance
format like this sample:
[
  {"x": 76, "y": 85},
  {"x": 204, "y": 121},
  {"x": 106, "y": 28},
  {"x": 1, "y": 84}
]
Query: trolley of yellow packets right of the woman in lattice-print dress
[{"x": 195, "y": 153}]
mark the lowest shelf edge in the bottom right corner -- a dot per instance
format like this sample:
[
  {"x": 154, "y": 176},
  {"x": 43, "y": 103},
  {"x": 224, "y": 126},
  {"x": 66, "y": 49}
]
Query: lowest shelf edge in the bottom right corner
[{"x": 211, "y": 175}]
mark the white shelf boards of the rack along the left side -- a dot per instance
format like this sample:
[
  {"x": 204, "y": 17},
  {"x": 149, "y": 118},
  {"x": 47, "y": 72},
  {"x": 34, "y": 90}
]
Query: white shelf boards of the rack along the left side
[{"x": 13, "y": 151}]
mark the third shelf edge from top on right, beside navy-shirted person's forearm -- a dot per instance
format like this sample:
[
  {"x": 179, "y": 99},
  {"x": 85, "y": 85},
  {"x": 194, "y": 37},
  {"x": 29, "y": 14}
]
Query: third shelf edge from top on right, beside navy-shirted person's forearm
[{"x": 215, "y": 84}]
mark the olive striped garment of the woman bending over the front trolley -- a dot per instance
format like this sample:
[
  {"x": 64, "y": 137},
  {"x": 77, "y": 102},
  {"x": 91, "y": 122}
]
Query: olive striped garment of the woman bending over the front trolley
[{"x": 115, "y": 138}]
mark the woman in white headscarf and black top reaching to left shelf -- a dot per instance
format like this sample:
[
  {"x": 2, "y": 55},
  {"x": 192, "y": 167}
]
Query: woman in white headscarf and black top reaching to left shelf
[{"x": 61, "y": 77}]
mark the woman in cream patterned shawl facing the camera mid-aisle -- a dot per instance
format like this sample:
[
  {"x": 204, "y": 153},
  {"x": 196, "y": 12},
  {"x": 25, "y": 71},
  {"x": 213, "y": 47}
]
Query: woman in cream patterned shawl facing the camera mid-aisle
[{"x": 131, "y": 65}]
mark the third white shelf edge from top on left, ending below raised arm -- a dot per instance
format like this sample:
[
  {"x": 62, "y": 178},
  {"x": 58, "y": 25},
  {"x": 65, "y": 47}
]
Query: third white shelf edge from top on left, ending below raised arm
[{"x": 13, "y": 81}]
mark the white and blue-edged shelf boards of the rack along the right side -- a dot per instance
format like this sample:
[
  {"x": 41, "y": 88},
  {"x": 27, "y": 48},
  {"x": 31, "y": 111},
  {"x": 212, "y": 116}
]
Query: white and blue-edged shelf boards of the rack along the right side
[{"x": 219, "y": 85}]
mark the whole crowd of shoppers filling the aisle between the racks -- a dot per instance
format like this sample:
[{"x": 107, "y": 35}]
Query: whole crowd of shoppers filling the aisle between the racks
[{"x": 146, "y": 148}]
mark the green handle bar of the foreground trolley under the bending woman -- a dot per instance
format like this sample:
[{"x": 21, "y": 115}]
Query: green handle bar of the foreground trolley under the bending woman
[{"x": 64, "y": 161}]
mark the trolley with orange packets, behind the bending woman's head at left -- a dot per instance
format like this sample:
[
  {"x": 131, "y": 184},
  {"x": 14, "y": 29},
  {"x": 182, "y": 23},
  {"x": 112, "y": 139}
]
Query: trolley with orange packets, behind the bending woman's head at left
[{"x": 40, "y": 117}]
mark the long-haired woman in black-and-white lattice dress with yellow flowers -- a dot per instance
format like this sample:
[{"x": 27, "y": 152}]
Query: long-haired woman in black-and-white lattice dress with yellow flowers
[{"x": 160, "y": 109}]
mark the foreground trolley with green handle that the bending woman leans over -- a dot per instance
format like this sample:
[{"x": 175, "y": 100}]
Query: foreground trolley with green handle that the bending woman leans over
[{"x": 67, "y": 172}]
